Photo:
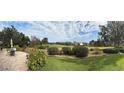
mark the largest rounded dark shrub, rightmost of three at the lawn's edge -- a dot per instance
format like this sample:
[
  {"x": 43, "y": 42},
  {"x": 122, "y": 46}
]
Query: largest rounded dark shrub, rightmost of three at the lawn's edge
[{"x": 81, "y": 51}]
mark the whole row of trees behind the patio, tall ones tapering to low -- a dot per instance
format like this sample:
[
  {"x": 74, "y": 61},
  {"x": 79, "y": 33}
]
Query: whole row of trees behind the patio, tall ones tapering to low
[{"x": 18, "y": 38}]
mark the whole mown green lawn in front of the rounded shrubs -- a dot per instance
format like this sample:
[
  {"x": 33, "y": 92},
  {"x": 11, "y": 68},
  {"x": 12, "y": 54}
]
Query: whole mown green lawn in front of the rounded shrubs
[{"x": 102, "y": 63}]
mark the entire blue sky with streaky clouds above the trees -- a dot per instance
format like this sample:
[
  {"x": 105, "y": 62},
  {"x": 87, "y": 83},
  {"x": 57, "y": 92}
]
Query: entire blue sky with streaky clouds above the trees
[{"x": 58, "y": 31}]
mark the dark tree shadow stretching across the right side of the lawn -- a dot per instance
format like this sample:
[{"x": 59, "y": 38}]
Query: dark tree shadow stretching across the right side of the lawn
[{"x": 96, "y": 63}]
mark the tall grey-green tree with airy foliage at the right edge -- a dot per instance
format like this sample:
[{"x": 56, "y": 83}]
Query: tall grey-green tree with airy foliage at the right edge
[{"x": 112, "y": 33}]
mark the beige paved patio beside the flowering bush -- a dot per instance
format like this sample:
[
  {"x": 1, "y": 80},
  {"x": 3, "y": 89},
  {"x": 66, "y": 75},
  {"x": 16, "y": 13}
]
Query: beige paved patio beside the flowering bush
[{"x": 13, "y": 63}]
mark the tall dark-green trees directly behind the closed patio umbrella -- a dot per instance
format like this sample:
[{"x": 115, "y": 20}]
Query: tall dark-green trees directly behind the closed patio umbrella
[{"x": 18, "y": 38}]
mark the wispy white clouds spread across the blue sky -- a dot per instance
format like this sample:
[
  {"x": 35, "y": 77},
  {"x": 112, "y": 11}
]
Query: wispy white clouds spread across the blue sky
[{"x": 58, "y": 30}]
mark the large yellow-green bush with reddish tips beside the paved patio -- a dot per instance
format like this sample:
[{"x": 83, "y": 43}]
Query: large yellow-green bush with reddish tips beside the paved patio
[{"x": 37, "y": 60}]
